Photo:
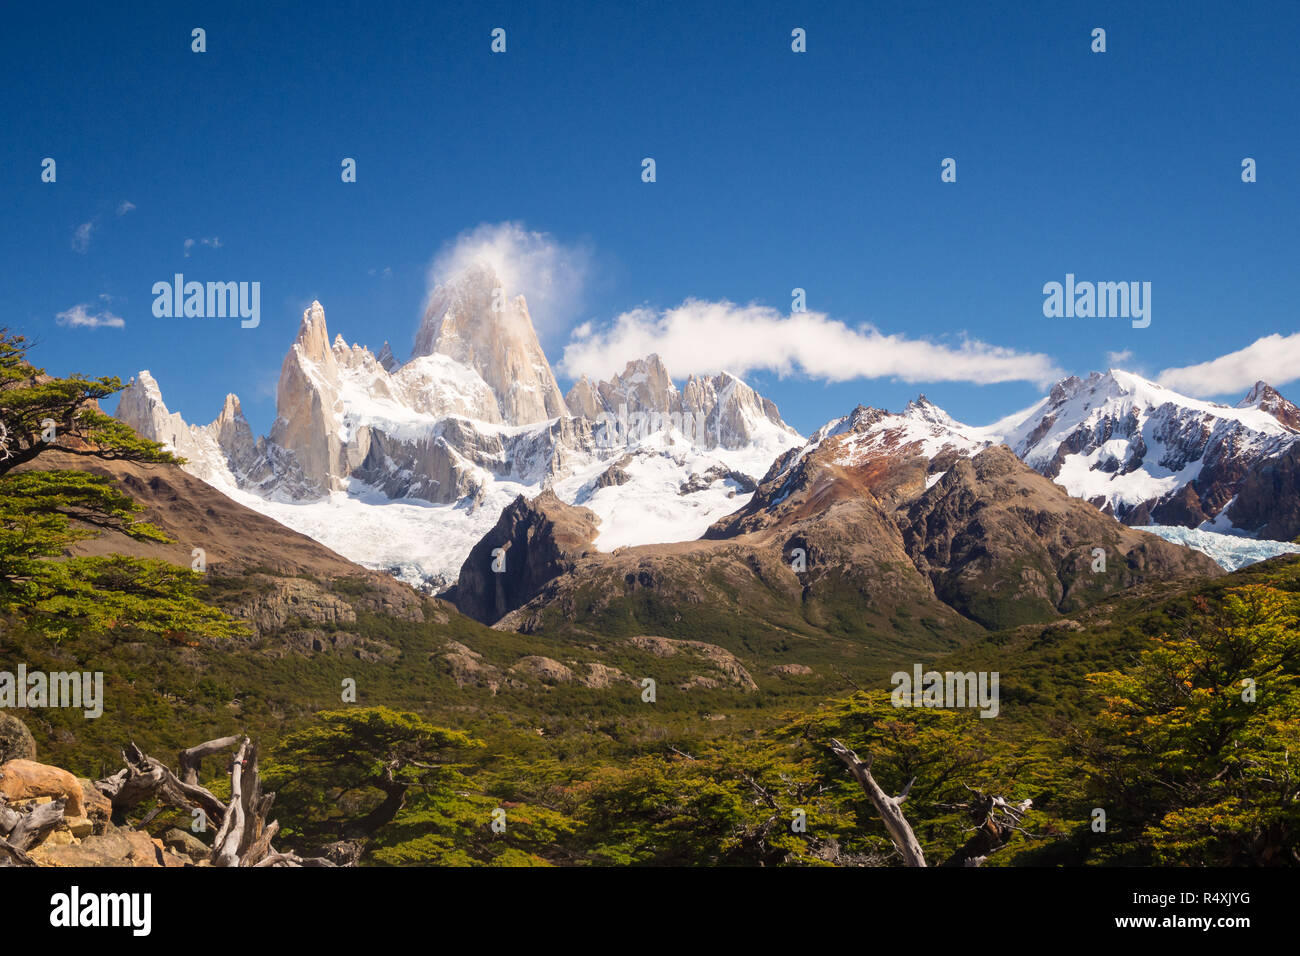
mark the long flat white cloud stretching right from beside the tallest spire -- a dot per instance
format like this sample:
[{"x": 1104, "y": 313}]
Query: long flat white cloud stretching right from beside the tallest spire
[{"x": 707, "y": 338}]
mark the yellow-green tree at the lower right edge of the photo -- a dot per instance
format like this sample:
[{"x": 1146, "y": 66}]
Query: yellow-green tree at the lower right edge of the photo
[{"x": 1194, "y": 755}]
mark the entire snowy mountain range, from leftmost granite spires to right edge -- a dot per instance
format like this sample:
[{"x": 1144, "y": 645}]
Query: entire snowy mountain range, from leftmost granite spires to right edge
[{"x": 405, "y": 468}]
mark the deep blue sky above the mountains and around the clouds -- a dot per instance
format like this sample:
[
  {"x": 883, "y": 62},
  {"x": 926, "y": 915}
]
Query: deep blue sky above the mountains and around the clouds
[{"x": 774, "y": 171}]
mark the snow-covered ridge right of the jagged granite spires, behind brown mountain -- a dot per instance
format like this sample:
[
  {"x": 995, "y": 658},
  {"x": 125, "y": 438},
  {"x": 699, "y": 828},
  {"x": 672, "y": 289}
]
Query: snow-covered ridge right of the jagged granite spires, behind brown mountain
[{"x": 1129, "y": 447}]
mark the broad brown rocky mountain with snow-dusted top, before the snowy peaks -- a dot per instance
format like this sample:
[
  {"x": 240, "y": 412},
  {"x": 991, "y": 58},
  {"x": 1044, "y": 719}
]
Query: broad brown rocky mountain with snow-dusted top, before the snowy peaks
[{"x": 882, "y": 525}]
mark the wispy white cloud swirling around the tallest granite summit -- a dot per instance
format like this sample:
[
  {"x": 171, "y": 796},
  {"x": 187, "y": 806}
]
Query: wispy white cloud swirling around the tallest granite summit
[{"x": 551, "y": 275}]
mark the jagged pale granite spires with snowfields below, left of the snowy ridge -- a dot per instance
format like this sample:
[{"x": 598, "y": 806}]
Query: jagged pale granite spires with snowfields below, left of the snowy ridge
[{"x": 404, "y": 468}]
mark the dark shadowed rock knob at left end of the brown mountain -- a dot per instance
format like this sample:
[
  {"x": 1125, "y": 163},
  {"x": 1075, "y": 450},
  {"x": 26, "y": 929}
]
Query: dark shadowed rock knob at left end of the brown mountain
[{"x": 539, "y": 540}]
